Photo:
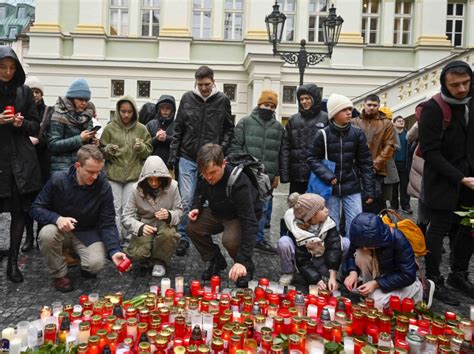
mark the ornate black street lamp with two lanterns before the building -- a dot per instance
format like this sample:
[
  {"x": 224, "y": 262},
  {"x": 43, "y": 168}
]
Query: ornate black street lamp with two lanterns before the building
[{"x": 331, "y": 31}]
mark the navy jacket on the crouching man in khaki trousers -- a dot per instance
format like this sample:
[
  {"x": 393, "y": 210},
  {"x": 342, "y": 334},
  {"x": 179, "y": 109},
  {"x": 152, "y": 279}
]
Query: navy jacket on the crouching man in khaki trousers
[{"x": 92, "y": 206}]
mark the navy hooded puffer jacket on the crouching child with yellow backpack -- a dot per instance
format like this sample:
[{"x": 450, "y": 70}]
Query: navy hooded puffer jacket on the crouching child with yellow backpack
[{"x": 393, "y": 251}]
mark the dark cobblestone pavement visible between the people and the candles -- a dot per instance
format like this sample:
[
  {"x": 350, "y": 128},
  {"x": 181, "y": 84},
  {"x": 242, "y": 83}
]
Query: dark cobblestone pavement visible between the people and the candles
[{"x": 22, "y": 301}]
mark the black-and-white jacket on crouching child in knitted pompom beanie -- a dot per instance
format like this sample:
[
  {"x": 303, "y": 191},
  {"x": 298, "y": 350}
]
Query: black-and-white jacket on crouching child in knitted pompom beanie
[{"x": 332, "y": 252}]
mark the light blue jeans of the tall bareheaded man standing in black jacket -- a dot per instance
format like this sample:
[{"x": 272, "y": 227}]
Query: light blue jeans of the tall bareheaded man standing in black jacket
[{"x": 187, "y": 179}]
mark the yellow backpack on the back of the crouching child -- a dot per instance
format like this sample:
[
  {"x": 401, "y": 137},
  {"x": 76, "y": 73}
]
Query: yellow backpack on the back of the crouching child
[{"x": 411, "y": 231}]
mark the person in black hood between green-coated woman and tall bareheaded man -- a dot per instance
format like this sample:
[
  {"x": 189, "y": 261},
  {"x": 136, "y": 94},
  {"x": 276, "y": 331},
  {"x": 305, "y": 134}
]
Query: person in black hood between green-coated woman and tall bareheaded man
[{"x": 161, "y": 127}]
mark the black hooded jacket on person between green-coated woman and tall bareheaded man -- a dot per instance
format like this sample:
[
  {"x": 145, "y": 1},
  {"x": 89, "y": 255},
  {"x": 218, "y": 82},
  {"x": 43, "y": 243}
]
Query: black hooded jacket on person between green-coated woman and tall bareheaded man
[{"x": 162, "y": 148}]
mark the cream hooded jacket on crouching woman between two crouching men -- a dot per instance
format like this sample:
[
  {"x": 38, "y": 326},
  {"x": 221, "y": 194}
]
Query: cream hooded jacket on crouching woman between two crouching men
[{"x": 141, "y": 208}]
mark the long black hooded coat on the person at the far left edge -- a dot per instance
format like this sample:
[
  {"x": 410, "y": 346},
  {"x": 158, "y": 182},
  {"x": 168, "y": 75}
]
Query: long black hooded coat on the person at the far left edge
[{"x": 18, "y": 162}]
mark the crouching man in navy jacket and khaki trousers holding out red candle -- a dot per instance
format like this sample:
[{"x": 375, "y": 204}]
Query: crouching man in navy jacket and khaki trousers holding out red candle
[{"x": 77, "y": 207}]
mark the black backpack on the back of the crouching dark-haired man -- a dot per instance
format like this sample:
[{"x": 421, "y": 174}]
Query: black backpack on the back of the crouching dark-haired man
[{"x": 255, "y": 171}]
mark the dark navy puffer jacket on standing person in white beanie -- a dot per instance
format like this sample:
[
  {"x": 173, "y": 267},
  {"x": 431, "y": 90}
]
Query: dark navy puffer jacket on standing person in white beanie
[{"x": 348, "y": 148}]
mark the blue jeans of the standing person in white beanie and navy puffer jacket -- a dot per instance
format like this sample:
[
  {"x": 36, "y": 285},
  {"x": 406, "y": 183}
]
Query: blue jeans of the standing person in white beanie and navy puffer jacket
[{"x": 352, "y": 205}]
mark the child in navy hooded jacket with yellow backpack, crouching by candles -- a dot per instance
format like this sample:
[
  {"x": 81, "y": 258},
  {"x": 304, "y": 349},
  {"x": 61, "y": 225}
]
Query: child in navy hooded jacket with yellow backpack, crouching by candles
[{"x": 384, "y": 259}]
